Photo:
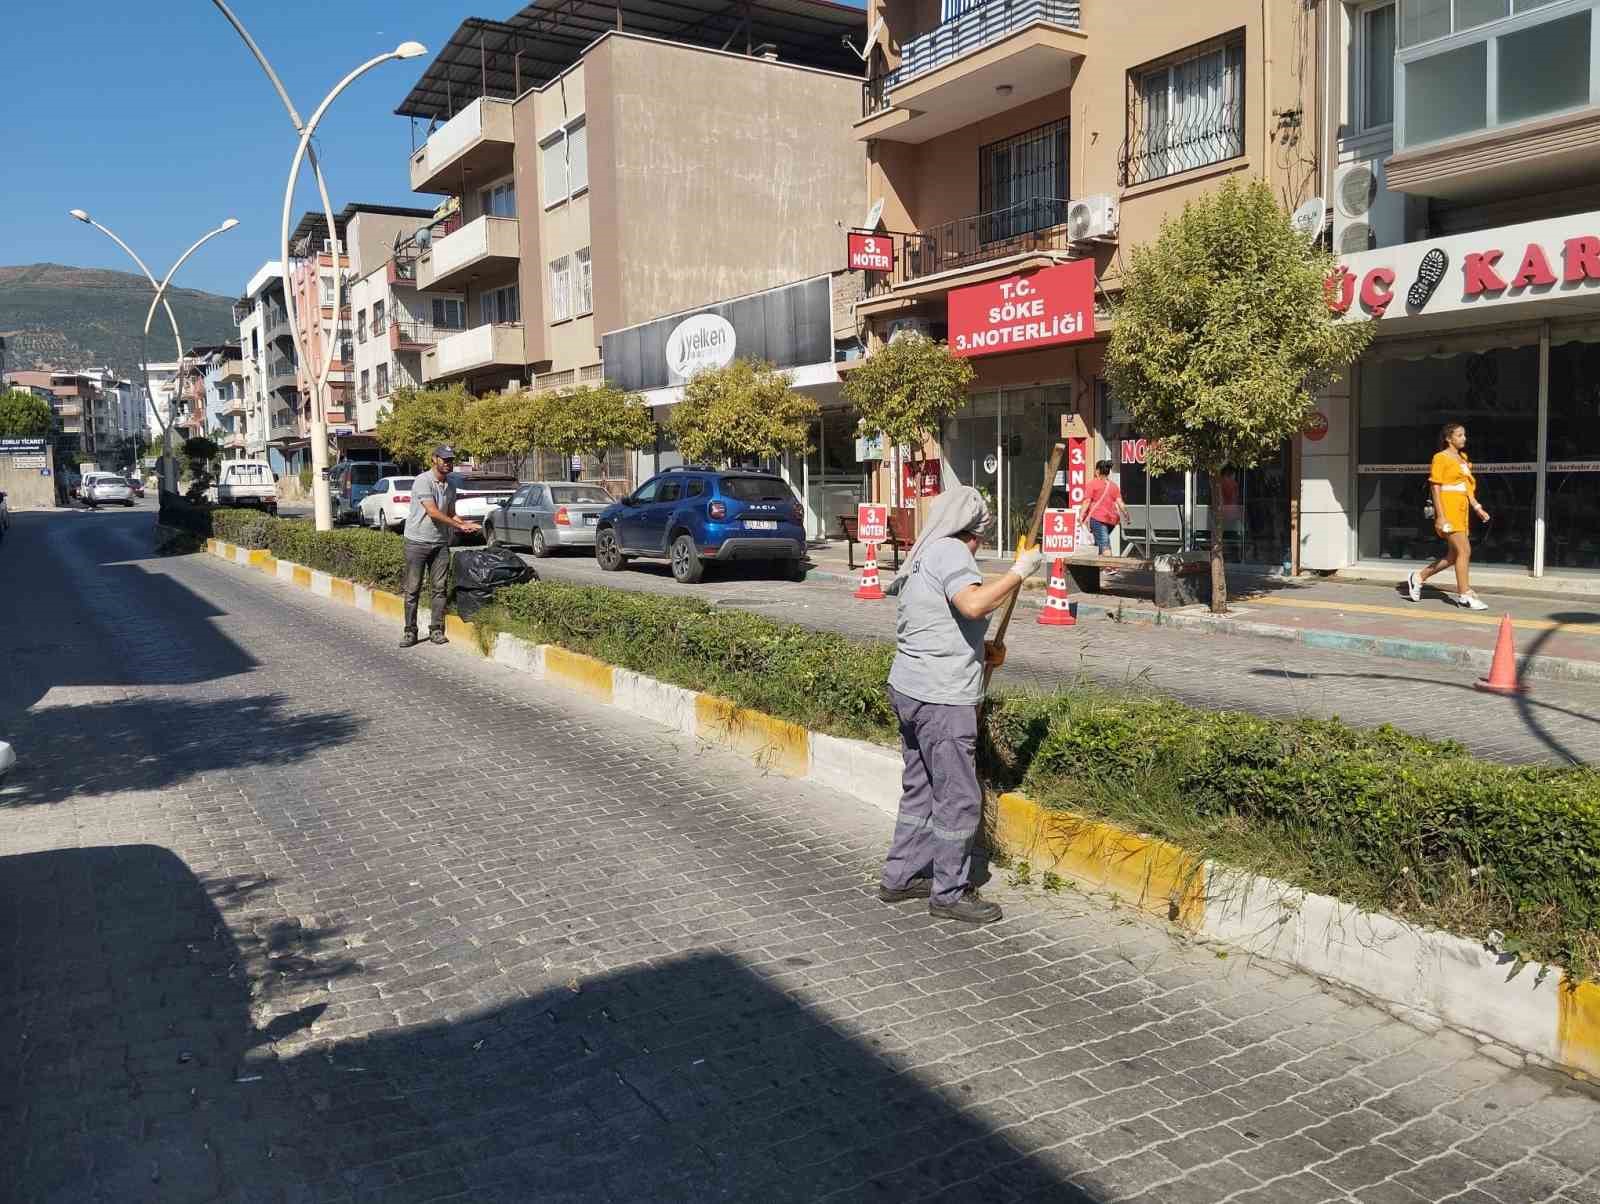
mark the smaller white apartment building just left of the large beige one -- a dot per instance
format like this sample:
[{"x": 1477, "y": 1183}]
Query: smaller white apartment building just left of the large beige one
[{"x": 394, "y": 324}]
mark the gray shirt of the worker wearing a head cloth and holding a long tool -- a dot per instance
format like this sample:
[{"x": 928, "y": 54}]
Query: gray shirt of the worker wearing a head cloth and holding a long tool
[{"x": 938, "y": 654}]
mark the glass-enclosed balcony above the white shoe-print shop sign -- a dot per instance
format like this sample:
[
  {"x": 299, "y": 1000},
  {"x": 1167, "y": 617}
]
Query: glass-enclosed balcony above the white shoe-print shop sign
[{"x": 1508, "y": 106}]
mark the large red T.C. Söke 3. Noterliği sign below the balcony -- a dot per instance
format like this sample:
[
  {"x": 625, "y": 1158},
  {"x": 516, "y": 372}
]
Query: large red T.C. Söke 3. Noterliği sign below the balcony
[{"x": 1050, "y": 307}]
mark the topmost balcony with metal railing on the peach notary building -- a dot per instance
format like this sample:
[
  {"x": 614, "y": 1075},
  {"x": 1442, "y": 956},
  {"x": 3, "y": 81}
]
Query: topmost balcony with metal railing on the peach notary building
[{"x": 985, "y": 62}]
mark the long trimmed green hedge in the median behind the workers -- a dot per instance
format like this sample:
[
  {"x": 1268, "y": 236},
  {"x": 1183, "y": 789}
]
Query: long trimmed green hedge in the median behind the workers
[{"x": 1377, "y": 816}]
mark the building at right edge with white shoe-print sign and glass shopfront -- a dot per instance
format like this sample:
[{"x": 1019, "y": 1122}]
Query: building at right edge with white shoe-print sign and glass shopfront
[{"x": 1466, "y": 214}]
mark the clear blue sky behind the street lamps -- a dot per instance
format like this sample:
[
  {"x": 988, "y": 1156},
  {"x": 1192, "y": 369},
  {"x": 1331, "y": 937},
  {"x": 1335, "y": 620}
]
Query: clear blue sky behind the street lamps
[{"x": 154, "y": 118}]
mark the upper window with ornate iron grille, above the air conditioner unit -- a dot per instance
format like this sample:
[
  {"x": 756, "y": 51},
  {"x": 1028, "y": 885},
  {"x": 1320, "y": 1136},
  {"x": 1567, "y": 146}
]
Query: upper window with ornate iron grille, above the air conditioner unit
[{"x": 1188, "y": 113}]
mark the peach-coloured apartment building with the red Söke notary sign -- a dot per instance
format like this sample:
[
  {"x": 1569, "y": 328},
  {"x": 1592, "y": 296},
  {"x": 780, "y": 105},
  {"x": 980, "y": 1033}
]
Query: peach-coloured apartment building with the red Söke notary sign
[{"x": 1015, "y": 151}]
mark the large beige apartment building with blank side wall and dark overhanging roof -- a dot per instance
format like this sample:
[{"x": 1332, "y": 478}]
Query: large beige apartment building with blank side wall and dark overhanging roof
[{"x": 609, "y": 169}]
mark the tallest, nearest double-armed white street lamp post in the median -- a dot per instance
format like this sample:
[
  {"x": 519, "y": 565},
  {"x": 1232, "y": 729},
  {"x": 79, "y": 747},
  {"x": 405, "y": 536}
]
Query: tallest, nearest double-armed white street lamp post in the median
[{"x": 322, "y": 505}]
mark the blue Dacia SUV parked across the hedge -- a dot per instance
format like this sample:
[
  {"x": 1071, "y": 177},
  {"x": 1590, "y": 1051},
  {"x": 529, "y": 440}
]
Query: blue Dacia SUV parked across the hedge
[{"x": 698, "y": 515}]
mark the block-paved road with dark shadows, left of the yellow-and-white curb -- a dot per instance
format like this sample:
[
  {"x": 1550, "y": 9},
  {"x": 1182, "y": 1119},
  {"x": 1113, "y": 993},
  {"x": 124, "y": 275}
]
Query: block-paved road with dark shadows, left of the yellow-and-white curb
[{"x": 290, "y": 915}]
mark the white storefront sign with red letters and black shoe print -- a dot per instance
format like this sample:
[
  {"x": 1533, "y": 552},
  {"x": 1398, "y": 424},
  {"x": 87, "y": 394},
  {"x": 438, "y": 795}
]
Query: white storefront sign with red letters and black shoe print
[{"x": 1486, "y": 270}]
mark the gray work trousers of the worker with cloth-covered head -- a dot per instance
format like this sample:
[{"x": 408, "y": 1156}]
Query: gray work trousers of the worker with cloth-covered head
[{"x": 942, "y": 803}]
